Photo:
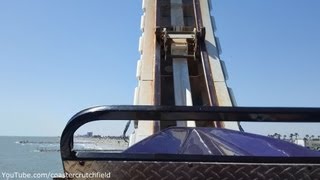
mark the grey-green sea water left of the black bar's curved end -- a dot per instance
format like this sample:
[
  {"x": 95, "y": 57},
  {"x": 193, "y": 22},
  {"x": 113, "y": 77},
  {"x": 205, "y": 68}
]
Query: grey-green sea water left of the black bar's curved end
[{"x": 29, "y": 155}]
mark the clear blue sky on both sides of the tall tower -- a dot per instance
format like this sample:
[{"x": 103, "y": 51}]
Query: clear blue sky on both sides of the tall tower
[{"x": 59, "y": 57}]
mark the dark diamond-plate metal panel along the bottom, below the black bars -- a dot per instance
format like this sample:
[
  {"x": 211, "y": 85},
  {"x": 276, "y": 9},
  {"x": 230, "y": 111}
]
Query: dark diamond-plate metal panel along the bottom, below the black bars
[{"x": 183, "y": 170}]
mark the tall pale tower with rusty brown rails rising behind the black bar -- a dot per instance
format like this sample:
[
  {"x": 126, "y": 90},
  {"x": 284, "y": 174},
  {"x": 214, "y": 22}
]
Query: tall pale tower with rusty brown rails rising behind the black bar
[{"x": 179, "y": 62}]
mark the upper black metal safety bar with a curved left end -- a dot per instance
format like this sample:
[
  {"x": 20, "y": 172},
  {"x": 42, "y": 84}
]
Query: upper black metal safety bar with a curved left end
[{"x": 182, "y": 113}]
